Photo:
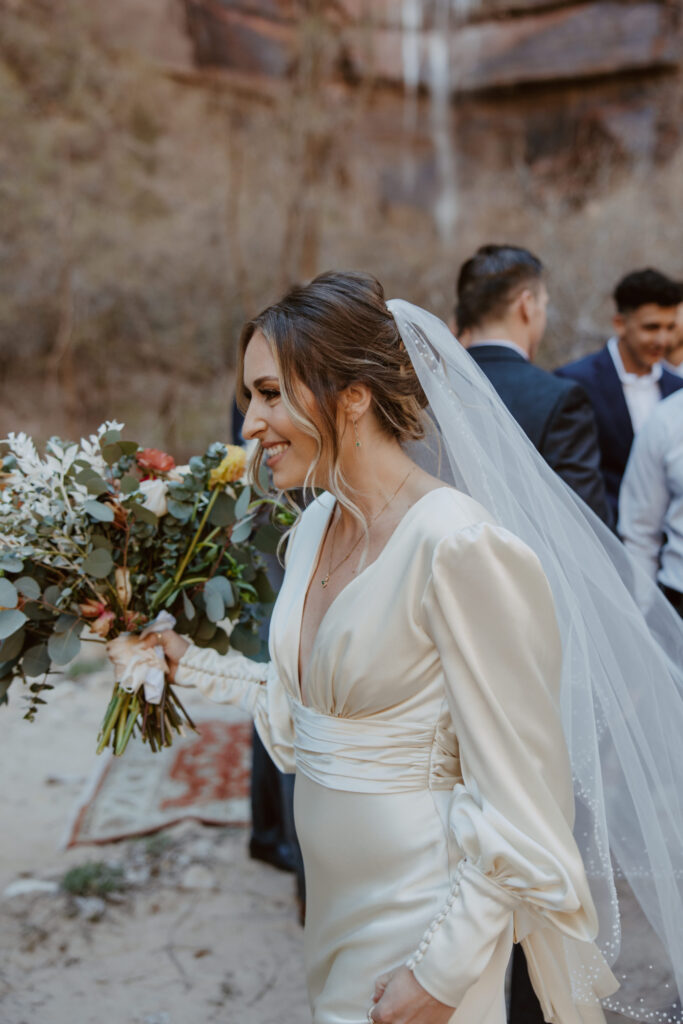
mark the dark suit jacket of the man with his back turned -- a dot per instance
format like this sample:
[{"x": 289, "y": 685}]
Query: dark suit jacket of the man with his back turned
[{"x": 556, "y": 415}]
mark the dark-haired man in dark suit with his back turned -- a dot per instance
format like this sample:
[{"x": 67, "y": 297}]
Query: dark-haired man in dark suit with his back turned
[{"x": 501, "y": 319}]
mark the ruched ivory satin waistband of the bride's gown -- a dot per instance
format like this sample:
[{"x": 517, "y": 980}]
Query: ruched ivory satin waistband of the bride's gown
[{"x": 373, "y": 756}]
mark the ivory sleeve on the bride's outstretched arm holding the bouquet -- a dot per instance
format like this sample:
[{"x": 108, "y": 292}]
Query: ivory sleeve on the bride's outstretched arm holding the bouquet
[{"x": 253, "y": 687}]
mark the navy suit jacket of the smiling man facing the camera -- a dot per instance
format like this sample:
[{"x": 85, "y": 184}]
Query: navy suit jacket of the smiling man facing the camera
[{"x": 597, "y": 375}]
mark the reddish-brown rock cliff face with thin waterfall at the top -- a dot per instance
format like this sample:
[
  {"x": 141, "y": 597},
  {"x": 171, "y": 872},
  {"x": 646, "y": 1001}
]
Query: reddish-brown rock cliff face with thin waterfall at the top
[{"x": 563, "y": 90}]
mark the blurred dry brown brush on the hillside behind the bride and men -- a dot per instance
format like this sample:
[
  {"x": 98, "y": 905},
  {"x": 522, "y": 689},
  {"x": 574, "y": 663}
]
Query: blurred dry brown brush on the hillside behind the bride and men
[{"x": 157, "y": 190}]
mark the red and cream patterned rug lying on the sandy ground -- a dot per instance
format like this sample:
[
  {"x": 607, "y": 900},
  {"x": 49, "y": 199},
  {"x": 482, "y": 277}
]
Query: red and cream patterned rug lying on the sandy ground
[{"x": 205, "y": 776}]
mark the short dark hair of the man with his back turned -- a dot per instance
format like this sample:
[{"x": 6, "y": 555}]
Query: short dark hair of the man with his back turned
[{"x": 491, "y": 280}]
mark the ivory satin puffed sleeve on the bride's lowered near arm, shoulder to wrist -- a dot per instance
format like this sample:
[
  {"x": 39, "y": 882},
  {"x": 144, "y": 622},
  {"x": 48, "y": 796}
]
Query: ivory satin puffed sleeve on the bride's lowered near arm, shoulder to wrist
[{"x": 489, "y": 610}]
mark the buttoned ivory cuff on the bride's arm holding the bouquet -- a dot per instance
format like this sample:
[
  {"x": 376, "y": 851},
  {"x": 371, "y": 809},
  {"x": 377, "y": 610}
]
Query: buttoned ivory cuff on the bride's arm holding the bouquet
[{"x": 230, "y": 678}]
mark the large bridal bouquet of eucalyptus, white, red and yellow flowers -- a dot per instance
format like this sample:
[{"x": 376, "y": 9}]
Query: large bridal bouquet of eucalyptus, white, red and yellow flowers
[{"x": 110, "y": 535}]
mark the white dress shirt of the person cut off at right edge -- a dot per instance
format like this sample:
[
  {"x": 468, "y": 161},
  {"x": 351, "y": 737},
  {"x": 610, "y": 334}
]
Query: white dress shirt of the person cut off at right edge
[{"x": 651, "y": 519}]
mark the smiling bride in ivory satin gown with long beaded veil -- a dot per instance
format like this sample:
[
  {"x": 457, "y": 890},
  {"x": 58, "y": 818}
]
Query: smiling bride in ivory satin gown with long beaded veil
[{"x": 418, "y": 684}]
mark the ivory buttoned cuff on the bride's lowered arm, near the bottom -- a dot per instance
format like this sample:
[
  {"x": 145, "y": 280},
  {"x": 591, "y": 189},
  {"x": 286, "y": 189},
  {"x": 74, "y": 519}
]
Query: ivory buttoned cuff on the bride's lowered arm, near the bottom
[{"x": 460, "y": 942}]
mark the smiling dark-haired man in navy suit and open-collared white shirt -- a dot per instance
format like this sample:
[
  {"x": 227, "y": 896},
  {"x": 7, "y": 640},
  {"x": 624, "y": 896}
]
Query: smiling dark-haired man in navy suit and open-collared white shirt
[{"x": 626, "y": 380}]
